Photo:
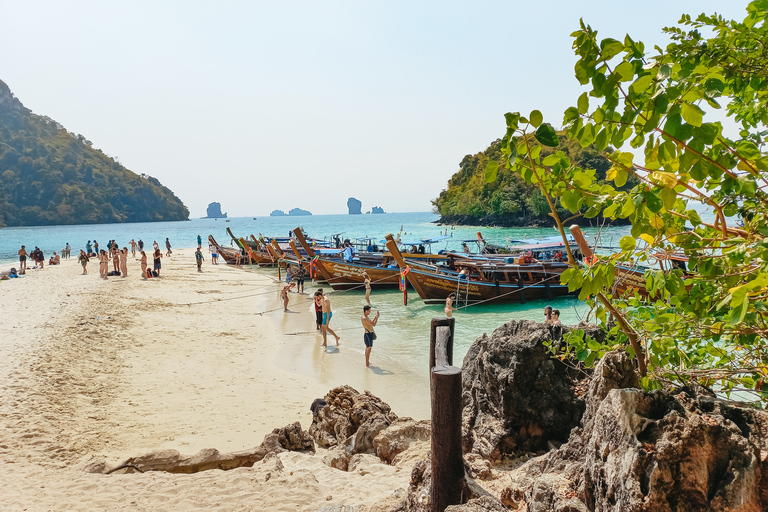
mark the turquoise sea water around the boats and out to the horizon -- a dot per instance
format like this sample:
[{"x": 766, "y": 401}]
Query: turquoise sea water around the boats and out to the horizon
[{"x": 403, "y": 331}]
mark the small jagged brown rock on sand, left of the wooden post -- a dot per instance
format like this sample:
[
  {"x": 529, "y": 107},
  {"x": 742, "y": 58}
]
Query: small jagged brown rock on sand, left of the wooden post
[{"x": 351, "y": 420}]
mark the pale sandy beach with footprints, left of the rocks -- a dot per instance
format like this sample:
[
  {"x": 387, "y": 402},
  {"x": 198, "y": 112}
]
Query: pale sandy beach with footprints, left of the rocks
[{"x": 123, "y": 366}]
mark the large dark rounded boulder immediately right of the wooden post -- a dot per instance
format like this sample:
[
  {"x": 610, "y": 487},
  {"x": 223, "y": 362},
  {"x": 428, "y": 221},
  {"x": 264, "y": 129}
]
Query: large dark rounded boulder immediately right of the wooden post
[{"x": 516, "y": 397}]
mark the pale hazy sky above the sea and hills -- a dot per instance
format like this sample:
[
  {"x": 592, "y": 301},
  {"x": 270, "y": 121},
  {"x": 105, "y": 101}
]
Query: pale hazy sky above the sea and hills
[{"x": 276, "y": 105}]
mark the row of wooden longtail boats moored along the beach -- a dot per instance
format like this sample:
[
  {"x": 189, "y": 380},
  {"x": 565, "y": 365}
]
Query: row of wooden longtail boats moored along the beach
[{"x": 491, "y": 274}]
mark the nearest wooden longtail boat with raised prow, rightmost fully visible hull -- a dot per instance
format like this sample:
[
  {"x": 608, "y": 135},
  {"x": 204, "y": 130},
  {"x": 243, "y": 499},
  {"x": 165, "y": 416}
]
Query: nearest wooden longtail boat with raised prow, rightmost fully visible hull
[{"x": 483, "y": 280}]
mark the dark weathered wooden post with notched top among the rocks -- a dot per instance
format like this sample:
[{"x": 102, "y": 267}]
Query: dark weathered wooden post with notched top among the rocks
[{"x": 445, "y": 384}]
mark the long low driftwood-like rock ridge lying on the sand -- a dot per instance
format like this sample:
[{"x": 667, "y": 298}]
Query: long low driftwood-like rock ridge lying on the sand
[{"x": 288, "y": 438}]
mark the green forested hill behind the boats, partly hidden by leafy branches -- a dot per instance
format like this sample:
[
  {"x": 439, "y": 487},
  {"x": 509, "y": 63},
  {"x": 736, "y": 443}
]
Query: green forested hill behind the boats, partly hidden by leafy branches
[{"x": 509, "y": 201}]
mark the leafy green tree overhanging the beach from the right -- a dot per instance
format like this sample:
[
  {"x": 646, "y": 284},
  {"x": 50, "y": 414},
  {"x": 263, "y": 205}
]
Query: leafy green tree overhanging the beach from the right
[{"x": 708, "y": 322}]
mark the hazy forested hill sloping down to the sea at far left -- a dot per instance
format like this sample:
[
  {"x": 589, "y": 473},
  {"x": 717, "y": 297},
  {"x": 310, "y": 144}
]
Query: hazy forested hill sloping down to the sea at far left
[{"x": 51, "y": 176}]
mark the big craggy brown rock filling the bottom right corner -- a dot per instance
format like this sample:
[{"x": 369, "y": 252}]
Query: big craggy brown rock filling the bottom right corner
[{"x": 673, "y": 450}]
